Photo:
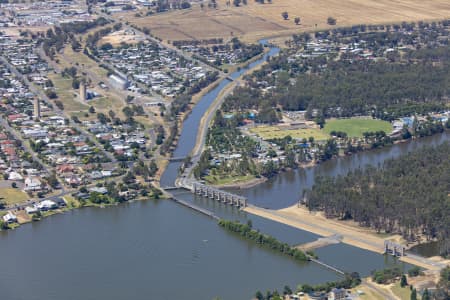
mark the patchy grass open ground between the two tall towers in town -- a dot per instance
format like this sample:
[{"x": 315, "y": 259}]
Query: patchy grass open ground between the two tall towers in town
[{"x": 65, "y": 93}]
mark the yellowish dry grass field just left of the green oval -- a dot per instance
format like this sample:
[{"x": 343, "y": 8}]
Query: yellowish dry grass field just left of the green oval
[{"x": 270, "y": 132}]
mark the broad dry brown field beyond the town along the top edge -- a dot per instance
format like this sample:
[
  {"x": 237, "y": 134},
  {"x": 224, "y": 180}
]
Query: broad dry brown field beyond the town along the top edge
[{"x": 253, "y": 21}]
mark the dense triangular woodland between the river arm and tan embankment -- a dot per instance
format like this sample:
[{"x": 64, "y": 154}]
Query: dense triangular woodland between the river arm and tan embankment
[{"x": 409, "y": 195}]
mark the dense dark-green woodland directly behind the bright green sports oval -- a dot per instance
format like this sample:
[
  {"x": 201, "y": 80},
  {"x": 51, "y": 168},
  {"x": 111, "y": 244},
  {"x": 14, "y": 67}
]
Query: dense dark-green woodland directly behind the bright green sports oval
[{"x": 360, "y": 88}]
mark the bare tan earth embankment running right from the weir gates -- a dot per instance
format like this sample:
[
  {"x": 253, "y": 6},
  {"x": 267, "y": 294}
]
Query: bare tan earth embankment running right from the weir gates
[{"x": 351, "y": 233}]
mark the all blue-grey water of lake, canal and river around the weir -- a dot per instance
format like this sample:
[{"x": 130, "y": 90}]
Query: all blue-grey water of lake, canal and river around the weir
[{"x": 161, "y": 250}]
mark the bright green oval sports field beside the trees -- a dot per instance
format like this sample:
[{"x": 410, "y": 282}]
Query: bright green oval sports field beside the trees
[{"x": 355, "y": 127}]
